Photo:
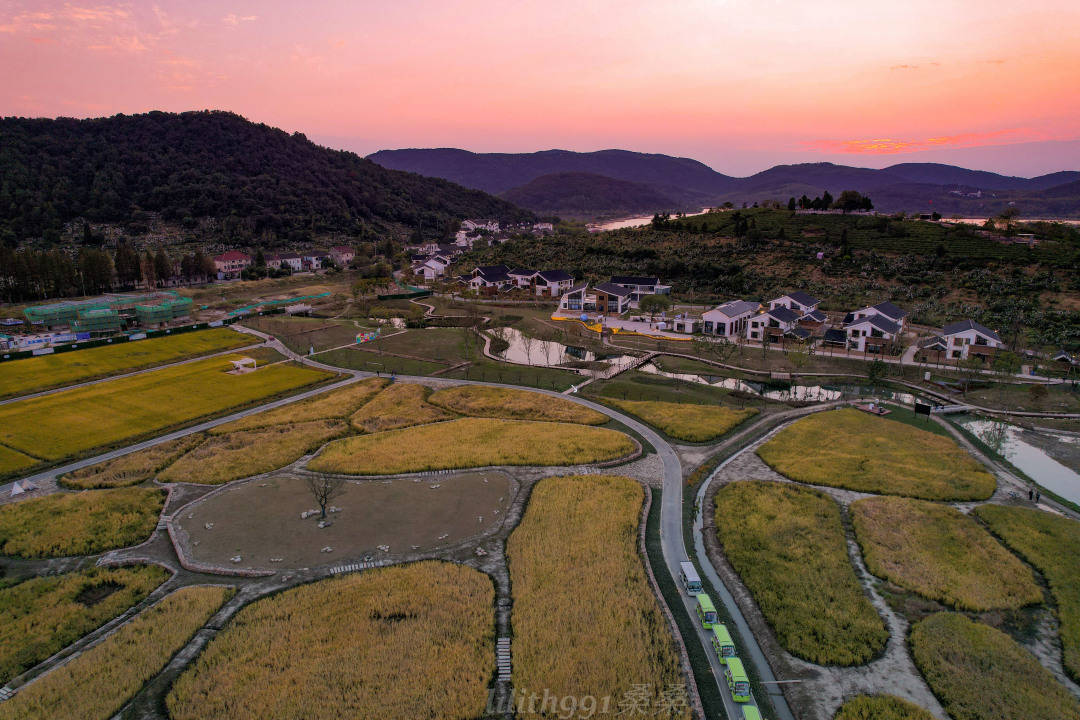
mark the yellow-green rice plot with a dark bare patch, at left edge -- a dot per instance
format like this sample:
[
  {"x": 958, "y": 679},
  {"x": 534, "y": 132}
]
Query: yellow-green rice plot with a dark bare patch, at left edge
[{"x": 44, "y": 616}]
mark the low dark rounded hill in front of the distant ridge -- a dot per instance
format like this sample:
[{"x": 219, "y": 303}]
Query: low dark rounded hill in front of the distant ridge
[{"x": 587, "y": 196}]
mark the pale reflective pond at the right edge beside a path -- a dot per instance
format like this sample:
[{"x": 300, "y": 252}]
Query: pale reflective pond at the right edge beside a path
[{"x": 1030, "y": 452}]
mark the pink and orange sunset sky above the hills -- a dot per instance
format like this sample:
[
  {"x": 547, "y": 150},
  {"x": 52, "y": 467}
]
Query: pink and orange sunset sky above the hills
[{"x": 738, "y": 85}]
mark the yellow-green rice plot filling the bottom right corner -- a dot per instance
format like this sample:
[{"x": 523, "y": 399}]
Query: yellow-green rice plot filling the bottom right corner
[{"x": 980, "y": 673}]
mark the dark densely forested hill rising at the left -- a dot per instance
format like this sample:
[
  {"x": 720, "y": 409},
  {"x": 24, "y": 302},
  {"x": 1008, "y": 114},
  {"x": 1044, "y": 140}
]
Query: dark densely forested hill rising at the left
[{"x": 261, "y": 183}]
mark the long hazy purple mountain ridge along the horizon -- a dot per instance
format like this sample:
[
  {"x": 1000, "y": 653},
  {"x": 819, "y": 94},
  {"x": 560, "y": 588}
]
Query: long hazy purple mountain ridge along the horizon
[{"x": 690, "y": 185}]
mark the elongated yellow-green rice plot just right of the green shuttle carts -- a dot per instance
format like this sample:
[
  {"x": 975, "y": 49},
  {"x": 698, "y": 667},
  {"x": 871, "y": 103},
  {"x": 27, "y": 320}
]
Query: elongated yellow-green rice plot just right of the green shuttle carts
[{"x": 787, "y": 542}]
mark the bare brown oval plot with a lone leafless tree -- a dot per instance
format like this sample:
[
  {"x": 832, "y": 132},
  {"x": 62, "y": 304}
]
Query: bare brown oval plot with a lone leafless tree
[{"x": 400, "y": 514}]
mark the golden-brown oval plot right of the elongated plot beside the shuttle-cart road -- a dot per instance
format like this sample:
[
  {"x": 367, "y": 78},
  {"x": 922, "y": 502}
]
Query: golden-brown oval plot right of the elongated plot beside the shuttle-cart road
[{"x": 941, "y": 554}]
